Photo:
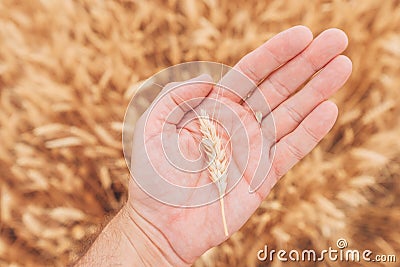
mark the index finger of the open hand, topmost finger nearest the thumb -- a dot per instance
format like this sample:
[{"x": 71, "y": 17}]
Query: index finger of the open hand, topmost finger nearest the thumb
[{"x": 262, "y": 61}]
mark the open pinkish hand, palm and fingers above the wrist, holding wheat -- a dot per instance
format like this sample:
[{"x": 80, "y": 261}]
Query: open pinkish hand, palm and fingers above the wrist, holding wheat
[{"x": 167, "y": 137}]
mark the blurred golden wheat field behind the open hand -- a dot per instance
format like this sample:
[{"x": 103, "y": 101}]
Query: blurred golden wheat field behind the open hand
[{"x": 69, "y": 68}]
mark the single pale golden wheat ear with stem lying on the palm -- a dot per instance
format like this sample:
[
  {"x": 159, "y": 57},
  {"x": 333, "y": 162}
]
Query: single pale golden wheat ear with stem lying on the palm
[{"x": 218, "y": 163}]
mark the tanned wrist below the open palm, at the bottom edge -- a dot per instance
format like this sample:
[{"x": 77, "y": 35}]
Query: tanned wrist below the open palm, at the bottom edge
[{"x": 129, "y": 241}]
